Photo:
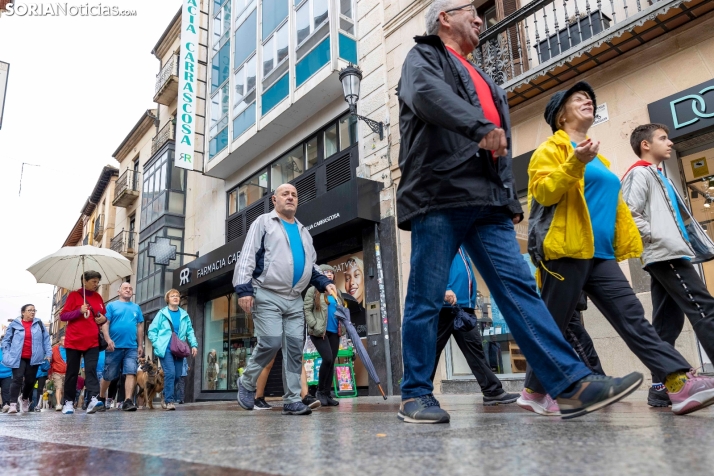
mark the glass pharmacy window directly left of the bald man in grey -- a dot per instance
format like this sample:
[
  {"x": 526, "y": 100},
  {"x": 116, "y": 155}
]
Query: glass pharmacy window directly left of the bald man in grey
[{"x": 228, "y": 343}]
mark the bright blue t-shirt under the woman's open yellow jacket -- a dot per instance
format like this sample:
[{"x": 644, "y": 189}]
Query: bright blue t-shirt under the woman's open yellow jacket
[{"x": 602, "y": 194}]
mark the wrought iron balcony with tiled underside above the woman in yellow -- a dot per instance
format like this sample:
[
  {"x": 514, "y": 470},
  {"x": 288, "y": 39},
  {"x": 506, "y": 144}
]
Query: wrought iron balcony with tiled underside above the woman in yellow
[{"x": 547, "y": 42}]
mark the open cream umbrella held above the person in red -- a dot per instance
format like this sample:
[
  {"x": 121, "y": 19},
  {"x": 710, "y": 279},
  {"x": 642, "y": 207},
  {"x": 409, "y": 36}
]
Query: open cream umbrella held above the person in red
[{"x": 65, "y": 267}]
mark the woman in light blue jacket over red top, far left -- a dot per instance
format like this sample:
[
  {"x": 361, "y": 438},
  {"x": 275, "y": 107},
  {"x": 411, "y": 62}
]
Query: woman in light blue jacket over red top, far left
[{"x": 26, "y": 345}]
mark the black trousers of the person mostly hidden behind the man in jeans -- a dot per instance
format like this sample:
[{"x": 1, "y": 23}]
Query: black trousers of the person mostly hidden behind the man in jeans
[{"x": 472, "y": 347}]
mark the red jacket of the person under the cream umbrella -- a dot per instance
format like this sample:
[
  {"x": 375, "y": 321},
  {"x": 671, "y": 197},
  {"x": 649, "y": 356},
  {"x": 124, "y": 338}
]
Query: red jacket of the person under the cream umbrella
[{"x": 81, "y": 333}]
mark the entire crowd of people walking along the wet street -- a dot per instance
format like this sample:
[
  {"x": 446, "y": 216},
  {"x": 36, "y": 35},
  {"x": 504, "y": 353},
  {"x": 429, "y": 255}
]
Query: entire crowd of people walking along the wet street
[{"x": 457, "y": 197}]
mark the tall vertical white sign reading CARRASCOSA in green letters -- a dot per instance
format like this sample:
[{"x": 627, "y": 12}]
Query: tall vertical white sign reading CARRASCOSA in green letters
[{"x": 187, "y": 98}]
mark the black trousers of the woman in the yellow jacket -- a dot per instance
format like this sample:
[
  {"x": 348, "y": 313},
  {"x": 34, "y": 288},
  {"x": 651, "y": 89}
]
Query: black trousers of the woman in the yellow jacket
[{"x": 606, "y": 286}]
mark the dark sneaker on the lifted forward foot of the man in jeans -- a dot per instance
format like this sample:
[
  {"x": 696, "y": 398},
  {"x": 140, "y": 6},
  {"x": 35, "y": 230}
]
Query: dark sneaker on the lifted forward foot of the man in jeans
[{"x": 595, "y": 392}]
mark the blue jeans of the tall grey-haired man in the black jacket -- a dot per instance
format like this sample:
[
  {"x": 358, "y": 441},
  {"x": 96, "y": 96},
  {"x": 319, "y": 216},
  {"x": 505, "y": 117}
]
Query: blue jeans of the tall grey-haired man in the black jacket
[{"x": 489, "y": 237}]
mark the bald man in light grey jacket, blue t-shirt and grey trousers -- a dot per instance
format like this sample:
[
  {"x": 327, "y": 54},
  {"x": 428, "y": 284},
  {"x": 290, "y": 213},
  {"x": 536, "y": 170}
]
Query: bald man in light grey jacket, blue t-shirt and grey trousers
[{"x": 276, "y": 264}]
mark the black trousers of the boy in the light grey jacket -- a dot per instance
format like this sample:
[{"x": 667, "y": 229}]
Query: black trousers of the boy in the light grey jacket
[{"x": 677, "y": 290}]
